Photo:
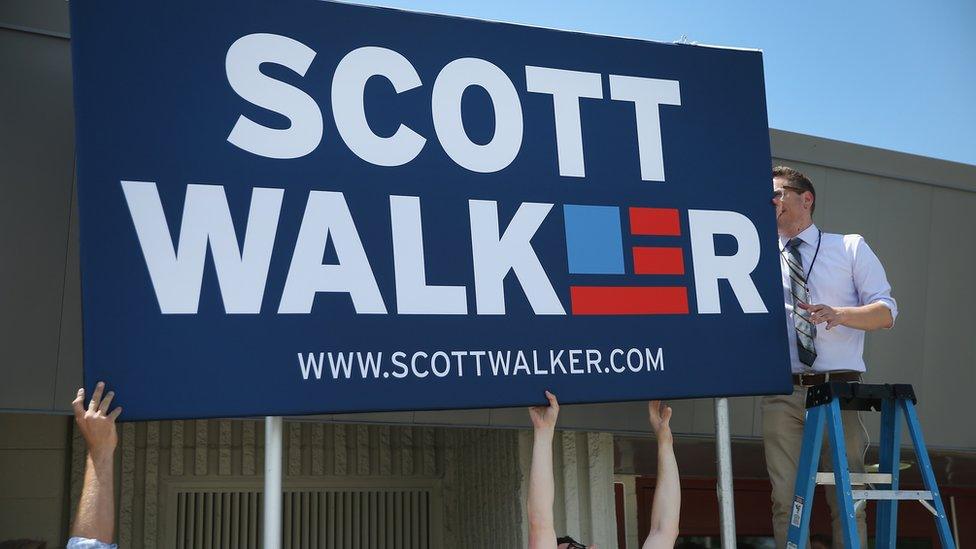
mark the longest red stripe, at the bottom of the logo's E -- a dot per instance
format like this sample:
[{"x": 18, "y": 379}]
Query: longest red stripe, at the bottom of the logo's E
[{"x": 629, "y": 300}]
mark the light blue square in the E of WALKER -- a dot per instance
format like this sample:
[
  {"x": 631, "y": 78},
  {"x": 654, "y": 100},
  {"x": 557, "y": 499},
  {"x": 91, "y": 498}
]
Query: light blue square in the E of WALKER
[{"x": 593, "y": 241}]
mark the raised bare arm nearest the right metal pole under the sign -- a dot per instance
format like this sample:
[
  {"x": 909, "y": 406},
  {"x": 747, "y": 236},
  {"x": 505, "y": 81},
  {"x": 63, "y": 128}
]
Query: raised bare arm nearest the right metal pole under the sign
[{"x": 667, "y": 491}]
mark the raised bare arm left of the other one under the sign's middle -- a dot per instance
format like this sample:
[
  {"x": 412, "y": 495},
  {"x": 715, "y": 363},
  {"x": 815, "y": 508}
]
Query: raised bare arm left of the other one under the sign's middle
[{"x": 542, "y": 533}]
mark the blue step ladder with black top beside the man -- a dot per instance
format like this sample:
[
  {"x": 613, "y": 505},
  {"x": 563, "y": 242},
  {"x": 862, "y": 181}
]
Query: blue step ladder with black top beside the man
[{"x": 824, "y": 404}]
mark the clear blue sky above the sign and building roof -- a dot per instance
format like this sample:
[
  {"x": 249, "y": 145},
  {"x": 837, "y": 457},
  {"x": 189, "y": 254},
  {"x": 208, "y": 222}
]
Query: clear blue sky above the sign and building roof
[{"x": 895, "y": 74}]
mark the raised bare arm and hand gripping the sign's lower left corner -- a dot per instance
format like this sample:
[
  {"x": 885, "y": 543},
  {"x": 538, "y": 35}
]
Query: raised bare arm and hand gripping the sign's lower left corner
[{"x": 96, "y": 508}]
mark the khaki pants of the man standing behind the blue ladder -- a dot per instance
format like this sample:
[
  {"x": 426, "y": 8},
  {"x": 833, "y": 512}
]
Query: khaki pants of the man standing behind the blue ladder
[{"x": 783, "y": 417}]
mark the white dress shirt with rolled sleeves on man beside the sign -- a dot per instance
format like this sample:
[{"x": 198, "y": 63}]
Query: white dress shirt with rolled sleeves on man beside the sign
[{"x": 846, "y": 273}]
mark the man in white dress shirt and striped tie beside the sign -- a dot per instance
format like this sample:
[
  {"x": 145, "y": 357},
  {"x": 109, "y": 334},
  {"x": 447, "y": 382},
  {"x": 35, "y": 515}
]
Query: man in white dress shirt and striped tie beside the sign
[{"x": 835, "y": 289}]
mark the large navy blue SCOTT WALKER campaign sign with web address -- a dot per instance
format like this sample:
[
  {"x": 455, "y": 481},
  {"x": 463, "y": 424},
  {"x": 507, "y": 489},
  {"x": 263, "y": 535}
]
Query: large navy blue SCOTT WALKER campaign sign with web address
[{"x": 299, "y": 207}]
